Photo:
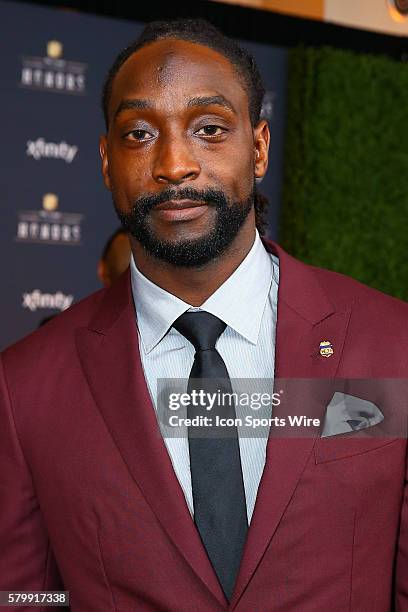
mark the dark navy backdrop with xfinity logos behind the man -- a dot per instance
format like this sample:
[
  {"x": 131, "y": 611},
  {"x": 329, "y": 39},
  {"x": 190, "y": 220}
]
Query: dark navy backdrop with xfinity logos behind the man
[{"x": 56, "y": 213}]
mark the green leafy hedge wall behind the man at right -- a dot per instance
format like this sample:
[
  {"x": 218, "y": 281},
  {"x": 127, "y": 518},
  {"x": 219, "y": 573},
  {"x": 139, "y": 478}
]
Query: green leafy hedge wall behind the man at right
[{"x": 345, "y": 195}]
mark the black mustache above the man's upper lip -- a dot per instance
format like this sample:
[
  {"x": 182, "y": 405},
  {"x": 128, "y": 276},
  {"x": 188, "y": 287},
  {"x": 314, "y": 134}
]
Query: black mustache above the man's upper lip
[{"x": 211, "y": 196}]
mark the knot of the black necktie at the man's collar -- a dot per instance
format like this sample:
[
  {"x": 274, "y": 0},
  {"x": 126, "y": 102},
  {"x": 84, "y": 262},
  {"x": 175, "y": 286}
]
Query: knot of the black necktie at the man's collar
[{"x": 201, "y": 328}]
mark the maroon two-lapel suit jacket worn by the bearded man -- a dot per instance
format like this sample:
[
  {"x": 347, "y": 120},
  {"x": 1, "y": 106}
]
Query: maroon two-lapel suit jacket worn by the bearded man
[{"x": 89, "y": 500}]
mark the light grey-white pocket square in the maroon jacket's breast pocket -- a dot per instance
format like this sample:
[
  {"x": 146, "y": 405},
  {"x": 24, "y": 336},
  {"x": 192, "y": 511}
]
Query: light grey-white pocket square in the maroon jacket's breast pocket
[{"x": 346, "y": 413}]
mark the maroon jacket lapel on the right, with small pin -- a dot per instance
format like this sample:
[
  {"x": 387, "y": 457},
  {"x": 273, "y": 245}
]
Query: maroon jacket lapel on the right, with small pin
[{"x": 305, "y": 318}]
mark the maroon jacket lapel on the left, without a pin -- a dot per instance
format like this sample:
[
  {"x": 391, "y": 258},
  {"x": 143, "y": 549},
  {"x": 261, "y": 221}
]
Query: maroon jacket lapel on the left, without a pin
[{"x": 109, "y": 354}]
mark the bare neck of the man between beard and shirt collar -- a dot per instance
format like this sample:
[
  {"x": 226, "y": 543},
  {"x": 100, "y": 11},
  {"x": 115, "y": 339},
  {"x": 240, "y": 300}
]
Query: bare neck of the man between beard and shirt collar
[{"x": 195, "y": 285}]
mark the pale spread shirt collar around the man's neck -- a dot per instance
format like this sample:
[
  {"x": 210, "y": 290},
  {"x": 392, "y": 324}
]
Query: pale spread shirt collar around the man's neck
[{"x": 239, "y": 302}]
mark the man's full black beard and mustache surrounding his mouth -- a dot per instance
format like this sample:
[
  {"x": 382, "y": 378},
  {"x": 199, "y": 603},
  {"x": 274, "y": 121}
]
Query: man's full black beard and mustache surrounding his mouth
[{"x": 229, "y": 218}]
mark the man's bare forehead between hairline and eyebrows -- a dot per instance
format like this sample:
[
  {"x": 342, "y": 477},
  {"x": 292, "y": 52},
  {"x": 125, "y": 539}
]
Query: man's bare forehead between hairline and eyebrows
[{"x": 173, "y": 63}]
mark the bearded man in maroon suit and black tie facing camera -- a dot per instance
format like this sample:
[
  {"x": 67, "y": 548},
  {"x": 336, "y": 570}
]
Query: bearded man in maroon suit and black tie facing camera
[{"x": 93, "y": 498}]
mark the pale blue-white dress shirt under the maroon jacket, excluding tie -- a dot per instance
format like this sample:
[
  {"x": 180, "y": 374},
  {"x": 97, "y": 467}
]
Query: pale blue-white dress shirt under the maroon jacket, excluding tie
[{"x": 247, "y": 303}]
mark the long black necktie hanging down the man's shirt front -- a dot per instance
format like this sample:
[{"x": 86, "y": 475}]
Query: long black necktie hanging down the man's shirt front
[{"x": 215, "y": 462}]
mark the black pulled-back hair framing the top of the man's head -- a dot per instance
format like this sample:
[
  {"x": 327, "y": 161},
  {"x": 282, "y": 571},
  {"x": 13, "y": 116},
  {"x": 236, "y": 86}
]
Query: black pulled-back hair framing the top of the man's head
[{"x": 204, "y": 33}]
